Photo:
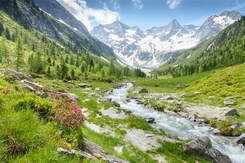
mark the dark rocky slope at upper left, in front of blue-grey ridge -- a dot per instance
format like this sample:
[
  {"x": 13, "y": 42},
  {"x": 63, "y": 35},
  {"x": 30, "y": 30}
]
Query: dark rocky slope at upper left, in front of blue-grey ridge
[{"x": 29, "y": 15}]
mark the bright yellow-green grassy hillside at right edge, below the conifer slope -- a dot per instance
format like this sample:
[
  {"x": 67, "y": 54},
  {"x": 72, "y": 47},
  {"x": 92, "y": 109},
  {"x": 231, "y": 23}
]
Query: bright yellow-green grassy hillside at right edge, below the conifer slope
[{"x": 228, "y": 82}]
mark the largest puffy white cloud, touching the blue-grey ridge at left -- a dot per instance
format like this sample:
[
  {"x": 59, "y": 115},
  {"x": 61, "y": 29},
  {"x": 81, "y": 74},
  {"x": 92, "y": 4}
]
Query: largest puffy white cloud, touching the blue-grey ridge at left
[{"x": 88, "y": 16}]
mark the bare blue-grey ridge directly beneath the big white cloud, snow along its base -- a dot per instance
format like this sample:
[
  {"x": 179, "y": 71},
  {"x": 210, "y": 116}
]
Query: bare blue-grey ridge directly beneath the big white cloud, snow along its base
[{"x": 56, "y": 10}]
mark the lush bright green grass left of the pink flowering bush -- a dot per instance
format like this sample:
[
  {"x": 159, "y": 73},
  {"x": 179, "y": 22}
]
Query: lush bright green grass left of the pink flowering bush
[{"x": 25, "y": 136}]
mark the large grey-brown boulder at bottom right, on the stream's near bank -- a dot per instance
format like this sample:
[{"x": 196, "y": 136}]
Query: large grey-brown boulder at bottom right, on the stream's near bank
[{"x": 203, "y": 147}]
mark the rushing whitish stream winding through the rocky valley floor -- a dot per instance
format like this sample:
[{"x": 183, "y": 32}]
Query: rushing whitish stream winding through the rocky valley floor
[{"x": 179, "y": 126}]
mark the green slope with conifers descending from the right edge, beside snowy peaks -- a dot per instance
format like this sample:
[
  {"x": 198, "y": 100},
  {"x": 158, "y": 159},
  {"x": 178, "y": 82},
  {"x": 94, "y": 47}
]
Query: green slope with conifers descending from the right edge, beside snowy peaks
[{"x": 225, "y": 49}]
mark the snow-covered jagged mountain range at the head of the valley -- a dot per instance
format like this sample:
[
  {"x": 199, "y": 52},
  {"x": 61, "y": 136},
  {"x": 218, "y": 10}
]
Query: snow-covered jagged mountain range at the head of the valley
[{"x": 155, "y": 46}]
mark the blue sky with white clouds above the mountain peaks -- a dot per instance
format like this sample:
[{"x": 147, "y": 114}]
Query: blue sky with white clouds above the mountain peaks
[{"x": 148, "y": 13}]
